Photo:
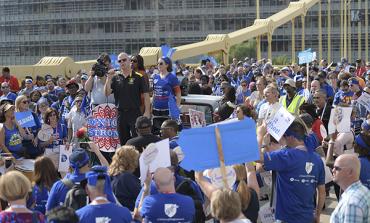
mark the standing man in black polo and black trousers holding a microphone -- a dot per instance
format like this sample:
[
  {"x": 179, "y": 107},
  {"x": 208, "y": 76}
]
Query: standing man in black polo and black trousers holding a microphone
[{"x": 127, "y": 87}]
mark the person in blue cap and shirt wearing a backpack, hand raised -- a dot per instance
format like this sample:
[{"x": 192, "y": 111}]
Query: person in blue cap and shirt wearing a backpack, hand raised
[{"x": 79, "y": 162}]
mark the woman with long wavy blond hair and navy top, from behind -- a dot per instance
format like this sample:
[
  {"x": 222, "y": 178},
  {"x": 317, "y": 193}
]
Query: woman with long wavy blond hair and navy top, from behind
[{"x": 126, "y": 186}]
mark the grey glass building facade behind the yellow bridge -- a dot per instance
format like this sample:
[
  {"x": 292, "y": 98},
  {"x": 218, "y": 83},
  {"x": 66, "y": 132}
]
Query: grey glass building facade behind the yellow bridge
[{"x": 81, "y": 29}]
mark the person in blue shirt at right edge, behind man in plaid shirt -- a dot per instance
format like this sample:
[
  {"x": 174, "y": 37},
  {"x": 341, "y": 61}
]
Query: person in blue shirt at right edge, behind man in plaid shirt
[{"x": 362, "y": 147}]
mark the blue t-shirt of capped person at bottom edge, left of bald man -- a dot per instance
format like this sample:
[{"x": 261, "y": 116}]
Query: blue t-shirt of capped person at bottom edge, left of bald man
[{"x": 108, "y": 212}]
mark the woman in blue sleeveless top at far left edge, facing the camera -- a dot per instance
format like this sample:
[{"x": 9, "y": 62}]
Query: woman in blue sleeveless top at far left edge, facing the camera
[{"x": 11, "y": 134}]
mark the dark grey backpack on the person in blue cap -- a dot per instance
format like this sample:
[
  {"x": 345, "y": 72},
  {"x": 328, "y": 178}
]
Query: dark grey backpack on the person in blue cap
[{"x": 76, "y": 197}]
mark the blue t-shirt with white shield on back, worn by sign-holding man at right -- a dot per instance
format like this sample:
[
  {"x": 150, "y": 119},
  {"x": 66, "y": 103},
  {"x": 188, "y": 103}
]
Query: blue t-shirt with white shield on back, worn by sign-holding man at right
[{"x": 298, "y": 175}]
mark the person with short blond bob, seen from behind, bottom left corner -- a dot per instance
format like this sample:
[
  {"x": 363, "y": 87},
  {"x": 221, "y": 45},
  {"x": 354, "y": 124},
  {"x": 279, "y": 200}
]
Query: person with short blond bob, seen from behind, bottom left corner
[{"x": 14, "y": 188}]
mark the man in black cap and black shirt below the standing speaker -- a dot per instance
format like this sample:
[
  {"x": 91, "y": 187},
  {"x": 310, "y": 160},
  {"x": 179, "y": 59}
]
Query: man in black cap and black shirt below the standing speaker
[{"x": 144, "y": 130}]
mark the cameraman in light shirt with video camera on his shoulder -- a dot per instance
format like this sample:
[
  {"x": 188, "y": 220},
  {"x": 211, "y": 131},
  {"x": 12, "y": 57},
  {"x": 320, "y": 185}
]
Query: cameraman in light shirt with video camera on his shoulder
[{"x": 95, "y": 82}]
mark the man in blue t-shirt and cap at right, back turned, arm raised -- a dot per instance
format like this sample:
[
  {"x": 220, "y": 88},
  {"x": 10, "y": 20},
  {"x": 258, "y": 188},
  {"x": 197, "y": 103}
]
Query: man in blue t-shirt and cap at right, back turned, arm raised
[{"x": 300, "y": 171}]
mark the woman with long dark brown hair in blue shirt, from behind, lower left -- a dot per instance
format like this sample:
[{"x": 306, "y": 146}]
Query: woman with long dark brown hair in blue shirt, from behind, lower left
[{"x": 45, "y": 175}]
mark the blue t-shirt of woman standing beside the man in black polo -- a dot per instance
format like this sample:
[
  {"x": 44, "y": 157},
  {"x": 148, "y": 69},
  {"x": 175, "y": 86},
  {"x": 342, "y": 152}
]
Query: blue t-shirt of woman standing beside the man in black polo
[{"x": 163, "y": 88}]
